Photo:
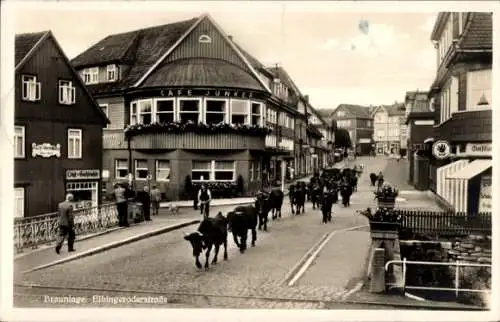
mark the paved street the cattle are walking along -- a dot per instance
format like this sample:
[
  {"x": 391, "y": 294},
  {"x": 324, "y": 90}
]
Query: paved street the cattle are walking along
[{"x": 163, "y": 265}]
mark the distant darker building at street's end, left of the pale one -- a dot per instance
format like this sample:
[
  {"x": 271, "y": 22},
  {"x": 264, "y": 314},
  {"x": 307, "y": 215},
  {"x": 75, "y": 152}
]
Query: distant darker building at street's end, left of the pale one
[{"x": 358, "y": 121}]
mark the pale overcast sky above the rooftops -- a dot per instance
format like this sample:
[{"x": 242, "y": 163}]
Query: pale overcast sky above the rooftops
[{"x": 324, "y": 51}]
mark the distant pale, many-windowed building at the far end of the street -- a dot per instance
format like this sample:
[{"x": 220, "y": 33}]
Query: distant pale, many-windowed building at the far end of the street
[{"x": 389, "y": 129}]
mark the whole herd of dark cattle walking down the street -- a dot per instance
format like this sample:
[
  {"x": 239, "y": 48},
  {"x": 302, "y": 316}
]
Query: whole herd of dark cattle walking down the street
[{"x": 322, "y": 191}]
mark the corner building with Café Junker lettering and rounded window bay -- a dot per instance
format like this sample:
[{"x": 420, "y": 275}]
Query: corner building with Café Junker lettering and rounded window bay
[{"x": 185, "y": 105}]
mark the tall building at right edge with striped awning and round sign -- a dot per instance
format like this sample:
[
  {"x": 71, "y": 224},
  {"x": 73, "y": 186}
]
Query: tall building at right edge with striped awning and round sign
[{"x": 461, "y": 94}]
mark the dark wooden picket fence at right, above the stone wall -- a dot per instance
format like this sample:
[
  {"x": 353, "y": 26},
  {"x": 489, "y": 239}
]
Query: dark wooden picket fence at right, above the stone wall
[{"x": 445, "y": 223}]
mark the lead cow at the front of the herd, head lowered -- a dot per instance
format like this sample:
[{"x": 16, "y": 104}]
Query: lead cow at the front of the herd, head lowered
[{"x": 211, "y": 231}]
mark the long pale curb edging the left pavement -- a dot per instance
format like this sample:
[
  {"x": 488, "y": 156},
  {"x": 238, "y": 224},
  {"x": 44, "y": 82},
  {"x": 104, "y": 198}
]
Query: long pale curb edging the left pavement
[{"x": 114, "y": 244}]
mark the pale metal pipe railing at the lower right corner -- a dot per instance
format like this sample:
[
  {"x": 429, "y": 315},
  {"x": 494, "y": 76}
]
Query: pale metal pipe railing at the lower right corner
[{"x": 457, "y": 265}]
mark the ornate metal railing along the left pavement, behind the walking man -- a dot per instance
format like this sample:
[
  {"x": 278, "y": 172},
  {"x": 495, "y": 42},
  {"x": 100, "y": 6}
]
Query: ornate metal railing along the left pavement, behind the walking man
[{"x": 37, "y": 230}]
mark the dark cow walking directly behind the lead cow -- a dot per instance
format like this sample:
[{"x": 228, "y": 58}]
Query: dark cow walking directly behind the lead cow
[{"x": 240, "y": 220}]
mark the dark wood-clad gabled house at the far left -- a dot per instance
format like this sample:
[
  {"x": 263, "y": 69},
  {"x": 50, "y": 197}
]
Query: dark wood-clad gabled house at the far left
[{"x": 58, "y": 130}]
